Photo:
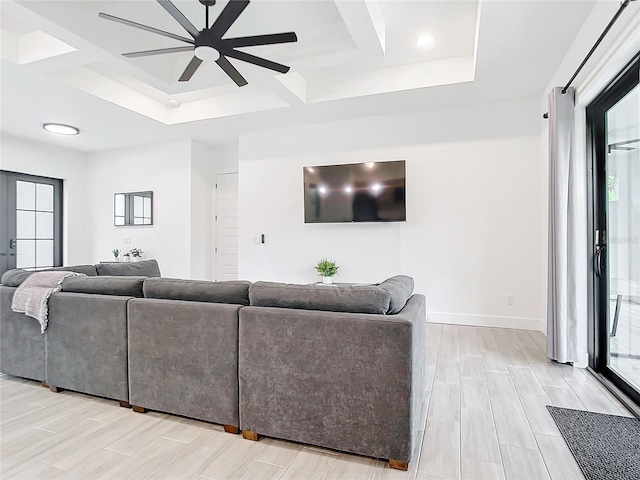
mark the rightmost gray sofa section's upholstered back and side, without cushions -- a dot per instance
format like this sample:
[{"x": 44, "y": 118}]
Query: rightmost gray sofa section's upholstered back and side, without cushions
[{"x": 338, "y": 380}]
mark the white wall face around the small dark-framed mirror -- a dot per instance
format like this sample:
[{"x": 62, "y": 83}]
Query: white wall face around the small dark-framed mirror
[{"x": 166, "y": 170}]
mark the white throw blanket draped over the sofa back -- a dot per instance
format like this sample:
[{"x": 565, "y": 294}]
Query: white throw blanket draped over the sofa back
[{"x": 32, "y": 297}]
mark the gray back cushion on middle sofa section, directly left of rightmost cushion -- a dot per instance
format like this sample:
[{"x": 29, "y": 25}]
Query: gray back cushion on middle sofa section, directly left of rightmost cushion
[{"x": 231, "y": 292}]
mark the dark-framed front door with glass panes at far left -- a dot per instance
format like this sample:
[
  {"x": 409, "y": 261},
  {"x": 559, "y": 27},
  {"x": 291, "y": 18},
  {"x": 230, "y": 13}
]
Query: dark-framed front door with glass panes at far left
[{"x": 31, "y": 221}]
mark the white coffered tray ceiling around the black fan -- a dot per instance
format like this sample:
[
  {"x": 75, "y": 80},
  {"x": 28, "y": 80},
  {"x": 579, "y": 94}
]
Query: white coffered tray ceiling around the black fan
[{"x": 62, "y": 63}]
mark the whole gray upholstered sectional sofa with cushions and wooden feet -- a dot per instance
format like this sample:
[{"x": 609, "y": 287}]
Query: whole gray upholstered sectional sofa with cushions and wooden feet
[{"x": 339, "y": 367}]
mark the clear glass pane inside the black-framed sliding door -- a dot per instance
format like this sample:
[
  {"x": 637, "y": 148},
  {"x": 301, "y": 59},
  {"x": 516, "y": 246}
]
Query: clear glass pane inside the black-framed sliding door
[{"x": 623, "y": 232}]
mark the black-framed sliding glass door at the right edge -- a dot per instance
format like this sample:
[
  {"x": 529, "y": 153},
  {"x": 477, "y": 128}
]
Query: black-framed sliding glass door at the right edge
[{"x": 614, "y": 121}]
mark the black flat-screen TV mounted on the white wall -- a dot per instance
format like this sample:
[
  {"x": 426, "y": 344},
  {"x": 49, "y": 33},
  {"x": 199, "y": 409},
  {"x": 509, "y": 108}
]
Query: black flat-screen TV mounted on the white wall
[{"x": 357, "y": 192}]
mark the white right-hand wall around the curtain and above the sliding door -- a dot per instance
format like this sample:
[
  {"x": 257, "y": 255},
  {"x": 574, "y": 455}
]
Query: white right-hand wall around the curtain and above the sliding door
[{"x": 618, "y": 47}]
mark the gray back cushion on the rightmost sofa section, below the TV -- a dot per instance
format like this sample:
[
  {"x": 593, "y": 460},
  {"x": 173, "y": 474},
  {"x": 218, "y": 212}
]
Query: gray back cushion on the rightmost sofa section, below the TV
[{"x": 333, "y": 298}]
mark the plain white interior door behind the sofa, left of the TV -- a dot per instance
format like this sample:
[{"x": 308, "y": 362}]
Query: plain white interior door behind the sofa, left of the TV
[{"x": 226, "y": 226}]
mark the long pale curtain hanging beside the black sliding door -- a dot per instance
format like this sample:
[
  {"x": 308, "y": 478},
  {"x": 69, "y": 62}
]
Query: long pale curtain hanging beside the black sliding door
[{"x": 565, "y": 182}]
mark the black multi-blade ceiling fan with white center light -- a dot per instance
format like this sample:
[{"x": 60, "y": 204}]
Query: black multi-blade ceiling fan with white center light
[{"x": 208, "y": 44}]
